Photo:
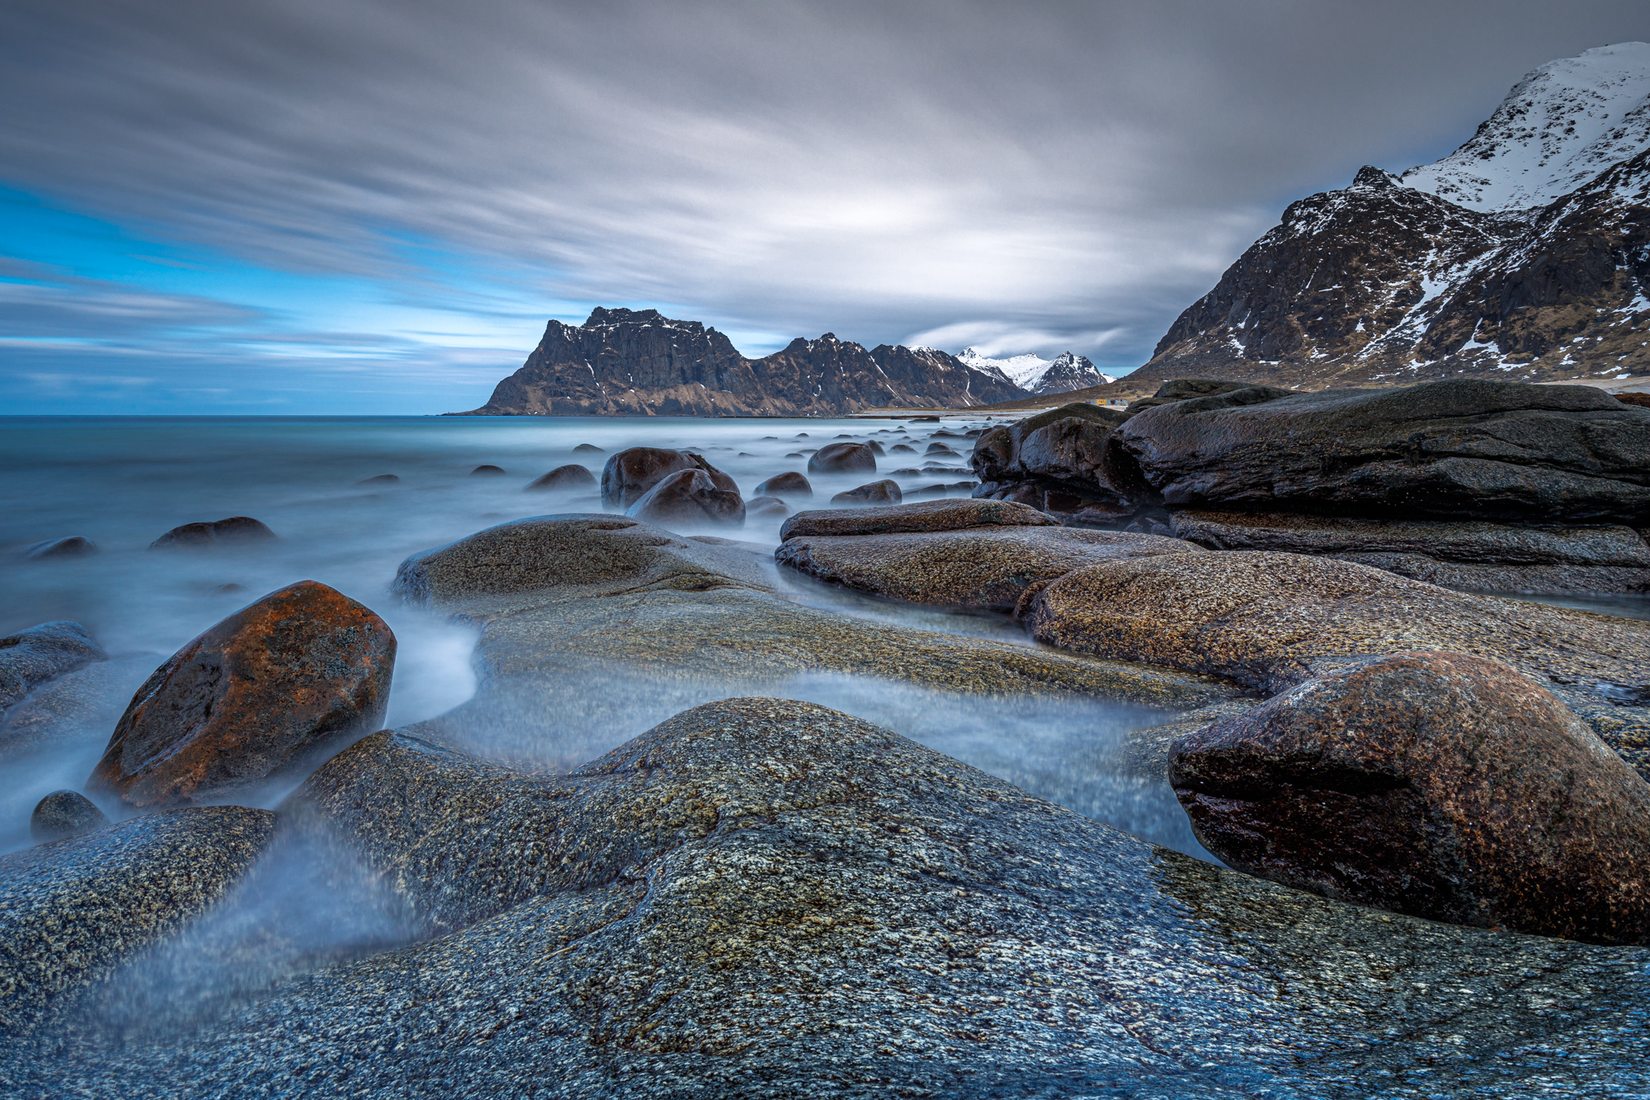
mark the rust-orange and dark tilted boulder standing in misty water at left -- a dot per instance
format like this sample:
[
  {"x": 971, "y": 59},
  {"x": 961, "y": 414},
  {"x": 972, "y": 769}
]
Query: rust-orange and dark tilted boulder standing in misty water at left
[{"x": 265, "y": 692}]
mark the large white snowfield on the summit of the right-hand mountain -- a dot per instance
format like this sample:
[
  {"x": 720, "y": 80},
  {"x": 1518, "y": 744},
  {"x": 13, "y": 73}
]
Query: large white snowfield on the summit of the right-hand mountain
[{"x": 1560, "y": 128}]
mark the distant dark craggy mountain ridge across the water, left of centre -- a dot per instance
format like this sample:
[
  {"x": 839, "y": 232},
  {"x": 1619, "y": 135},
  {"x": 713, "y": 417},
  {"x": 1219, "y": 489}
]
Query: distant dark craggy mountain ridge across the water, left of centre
[{"x": 643, "y": 364}]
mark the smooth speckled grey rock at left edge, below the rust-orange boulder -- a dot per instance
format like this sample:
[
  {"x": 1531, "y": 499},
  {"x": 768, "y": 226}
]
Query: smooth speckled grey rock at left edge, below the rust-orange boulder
[{"x": 73, "y": 910}]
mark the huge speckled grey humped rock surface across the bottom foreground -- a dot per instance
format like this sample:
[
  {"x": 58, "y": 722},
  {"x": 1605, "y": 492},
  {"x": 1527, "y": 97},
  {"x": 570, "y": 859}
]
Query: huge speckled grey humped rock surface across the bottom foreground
[{"x": 768, "y": 898}]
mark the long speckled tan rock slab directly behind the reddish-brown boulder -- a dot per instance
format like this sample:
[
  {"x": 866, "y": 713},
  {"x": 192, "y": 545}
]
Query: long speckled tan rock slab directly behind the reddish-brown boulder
[{"x": 1270, "y": 621}]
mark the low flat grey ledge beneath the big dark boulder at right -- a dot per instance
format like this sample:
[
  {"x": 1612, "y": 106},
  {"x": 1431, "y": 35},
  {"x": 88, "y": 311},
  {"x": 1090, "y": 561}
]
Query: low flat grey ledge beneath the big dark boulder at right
[{"x": 1471, "y": 555}]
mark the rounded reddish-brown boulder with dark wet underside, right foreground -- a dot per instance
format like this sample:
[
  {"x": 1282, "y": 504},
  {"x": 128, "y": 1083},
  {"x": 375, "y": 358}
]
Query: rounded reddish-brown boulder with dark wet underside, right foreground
[{"x": 1435, "y": 784}]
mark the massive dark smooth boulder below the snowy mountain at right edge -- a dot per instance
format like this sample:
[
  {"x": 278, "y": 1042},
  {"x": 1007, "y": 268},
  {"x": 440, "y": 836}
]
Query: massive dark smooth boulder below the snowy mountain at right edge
[{"x": 1461, "y": 449}]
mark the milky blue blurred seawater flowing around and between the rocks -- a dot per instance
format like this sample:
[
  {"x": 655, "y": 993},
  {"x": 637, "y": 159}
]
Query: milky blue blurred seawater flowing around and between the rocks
[{"x": 125, "y": 482}]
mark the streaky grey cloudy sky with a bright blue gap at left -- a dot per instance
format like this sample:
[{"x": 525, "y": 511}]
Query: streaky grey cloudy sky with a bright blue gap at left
[{"x": 352, "y": 207}]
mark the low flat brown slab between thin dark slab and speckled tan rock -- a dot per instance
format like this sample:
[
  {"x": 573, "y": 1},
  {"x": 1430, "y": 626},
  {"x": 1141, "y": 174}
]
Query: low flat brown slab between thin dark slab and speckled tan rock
[{"x": 988, "y": 568}]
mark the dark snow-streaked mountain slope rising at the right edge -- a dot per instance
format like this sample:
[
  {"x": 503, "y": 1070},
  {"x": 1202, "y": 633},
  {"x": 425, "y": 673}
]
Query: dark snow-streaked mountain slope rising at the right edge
[{"x": 1524, "y": 255}]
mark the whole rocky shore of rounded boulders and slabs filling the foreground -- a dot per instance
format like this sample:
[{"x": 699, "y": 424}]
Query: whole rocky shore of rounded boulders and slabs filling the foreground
[{"x": 641, "y": 862}]
